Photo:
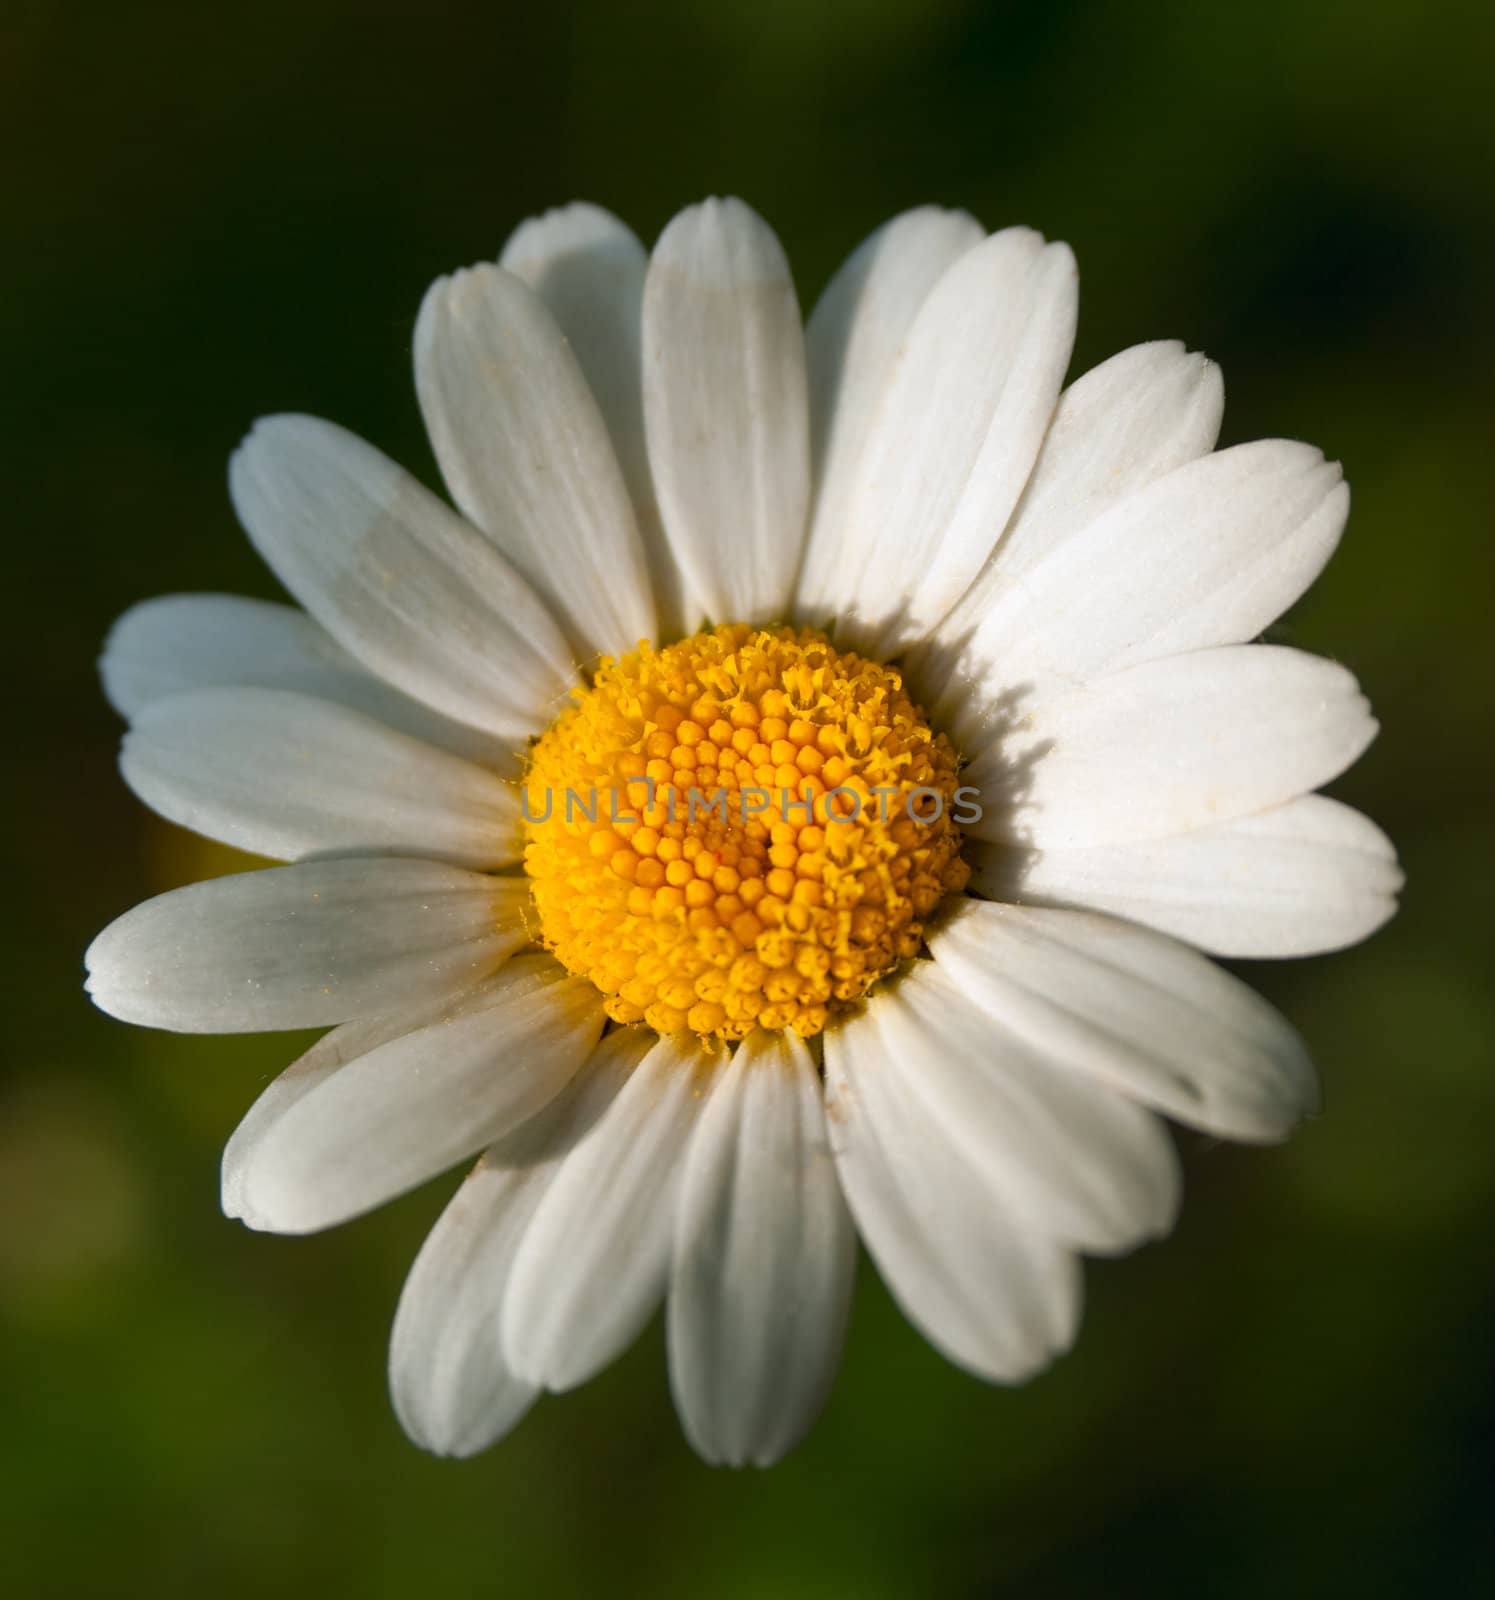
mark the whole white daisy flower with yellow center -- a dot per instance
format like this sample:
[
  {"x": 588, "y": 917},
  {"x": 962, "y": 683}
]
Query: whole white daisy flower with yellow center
[{"x": 787, "y": 801}]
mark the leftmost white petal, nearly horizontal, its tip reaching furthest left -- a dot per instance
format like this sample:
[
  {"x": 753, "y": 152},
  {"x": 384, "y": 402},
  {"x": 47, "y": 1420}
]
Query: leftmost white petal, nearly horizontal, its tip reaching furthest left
[{"x": 305, "y": 946}]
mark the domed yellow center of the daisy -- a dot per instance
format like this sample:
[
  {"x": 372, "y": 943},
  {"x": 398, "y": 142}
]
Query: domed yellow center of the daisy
[{"x": 745, "y": 830}]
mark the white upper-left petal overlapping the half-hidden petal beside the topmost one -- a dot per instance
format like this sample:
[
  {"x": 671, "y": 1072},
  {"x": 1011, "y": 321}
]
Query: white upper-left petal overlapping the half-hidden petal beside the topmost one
[{"x": 526, "y": 454}]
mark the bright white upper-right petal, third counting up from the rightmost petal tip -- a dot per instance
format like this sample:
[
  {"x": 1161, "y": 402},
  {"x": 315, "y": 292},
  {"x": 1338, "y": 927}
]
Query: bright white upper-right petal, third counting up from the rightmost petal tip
[{"x": 1206, "y": 556}]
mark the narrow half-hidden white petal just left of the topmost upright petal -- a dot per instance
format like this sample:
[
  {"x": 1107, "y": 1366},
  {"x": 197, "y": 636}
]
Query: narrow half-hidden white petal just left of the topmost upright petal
[{"x": 590, "y": 268}]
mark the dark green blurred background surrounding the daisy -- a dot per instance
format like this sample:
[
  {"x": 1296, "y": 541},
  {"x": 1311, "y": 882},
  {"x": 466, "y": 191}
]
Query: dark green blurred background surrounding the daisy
[{"x": 210, "y": 212}]
